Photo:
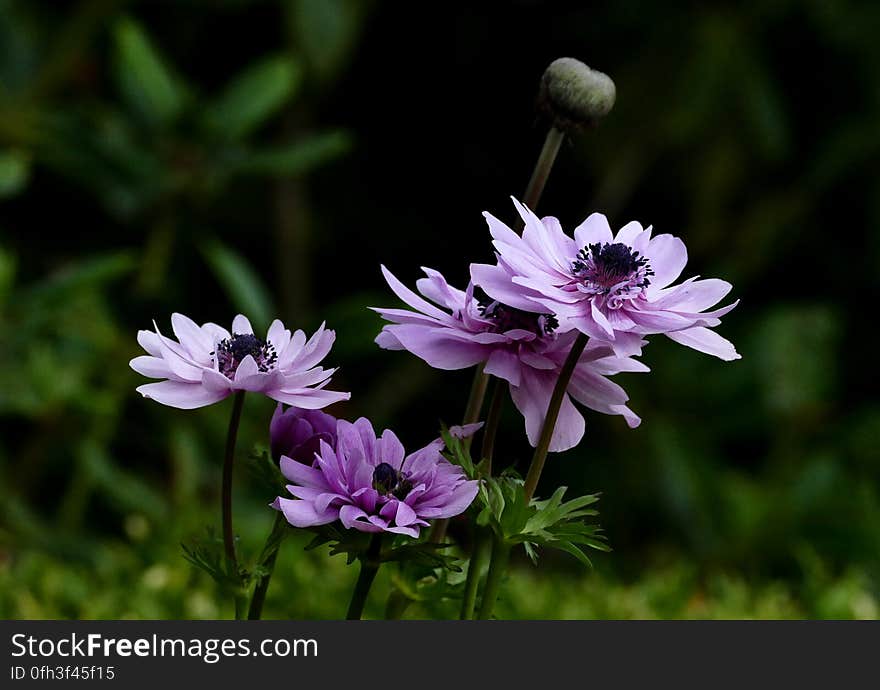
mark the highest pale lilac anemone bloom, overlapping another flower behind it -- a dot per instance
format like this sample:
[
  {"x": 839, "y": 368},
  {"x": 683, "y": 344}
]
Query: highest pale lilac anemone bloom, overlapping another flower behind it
[{"x": 615, "y": 288}]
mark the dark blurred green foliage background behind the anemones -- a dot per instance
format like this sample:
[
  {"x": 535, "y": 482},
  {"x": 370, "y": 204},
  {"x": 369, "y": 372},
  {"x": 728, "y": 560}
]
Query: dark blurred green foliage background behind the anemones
[{"x": 267, "y": 156}]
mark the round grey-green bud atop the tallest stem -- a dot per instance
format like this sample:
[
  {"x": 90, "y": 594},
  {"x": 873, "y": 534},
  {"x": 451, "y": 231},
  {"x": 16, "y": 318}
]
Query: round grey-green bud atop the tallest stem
[{"x": 573, "y": 96}]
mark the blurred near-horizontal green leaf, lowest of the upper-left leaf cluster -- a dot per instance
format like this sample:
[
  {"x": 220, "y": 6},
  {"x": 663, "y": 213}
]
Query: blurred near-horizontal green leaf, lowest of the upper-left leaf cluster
[{"x": 292, "y": 159}]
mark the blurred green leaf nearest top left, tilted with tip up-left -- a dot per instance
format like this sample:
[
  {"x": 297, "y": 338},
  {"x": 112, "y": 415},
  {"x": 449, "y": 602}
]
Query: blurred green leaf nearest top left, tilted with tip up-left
[{"x": 146, "y": 82}]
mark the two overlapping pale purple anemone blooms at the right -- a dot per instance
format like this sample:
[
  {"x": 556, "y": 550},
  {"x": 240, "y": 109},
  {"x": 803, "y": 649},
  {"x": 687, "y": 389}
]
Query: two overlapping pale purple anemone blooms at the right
[{"x": 544, "y": 289}]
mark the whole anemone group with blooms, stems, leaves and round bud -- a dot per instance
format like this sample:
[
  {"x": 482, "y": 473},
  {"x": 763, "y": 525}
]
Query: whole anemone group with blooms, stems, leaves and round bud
[{"x": 552, "y": 320}]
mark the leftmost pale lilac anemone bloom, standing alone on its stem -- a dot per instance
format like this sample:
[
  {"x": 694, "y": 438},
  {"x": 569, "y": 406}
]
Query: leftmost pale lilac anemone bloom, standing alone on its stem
[{"x": 207, "y": 363}]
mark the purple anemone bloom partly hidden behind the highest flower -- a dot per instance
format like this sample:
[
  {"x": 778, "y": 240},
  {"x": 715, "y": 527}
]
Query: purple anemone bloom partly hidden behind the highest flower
[{"x": 521, "y": 347}]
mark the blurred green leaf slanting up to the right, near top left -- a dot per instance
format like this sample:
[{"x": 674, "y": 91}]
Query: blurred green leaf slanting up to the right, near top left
[{"x": 253, "y": 97}]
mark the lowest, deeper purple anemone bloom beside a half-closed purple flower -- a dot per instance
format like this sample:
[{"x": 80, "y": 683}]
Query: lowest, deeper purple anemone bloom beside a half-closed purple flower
[{"x": 367, "y": 484}]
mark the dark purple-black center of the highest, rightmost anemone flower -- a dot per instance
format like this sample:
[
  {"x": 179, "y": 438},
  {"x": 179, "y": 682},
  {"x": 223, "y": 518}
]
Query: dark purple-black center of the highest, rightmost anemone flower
[{"x": 613, "y": 270}]
